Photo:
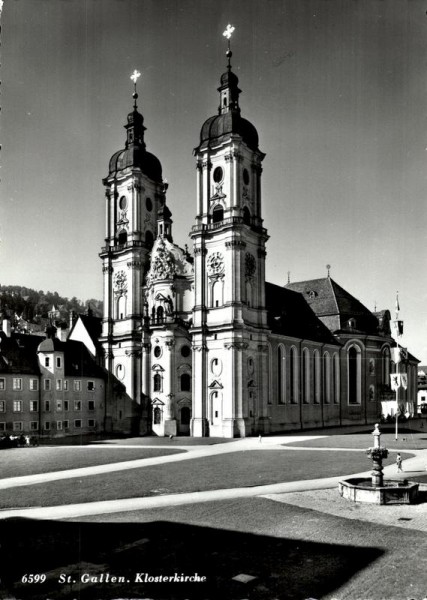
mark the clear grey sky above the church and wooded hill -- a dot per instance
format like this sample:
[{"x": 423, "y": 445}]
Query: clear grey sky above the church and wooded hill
[{"x": 337, "y": 90}]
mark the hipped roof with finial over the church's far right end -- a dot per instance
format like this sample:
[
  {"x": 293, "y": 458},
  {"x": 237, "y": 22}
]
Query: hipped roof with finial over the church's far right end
[{"x": 327, "y": 299}]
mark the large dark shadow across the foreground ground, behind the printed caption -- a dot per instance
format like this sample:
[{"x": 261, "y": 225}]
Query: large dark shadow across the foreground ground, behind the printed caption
[{"x": 280, "y": 567}]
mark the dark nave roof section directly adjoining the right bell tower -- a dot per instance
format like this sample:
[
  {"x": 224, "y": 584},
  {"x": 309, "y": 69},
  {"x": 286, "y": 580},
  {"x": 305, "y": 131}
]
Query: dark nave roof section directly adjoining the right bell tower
[{"x": 289, "y": 314}]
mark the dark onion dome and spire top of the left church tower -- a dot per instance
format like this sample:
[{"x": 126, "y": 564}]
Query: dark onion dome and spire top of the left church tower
[{"x": 135, "y": 155}]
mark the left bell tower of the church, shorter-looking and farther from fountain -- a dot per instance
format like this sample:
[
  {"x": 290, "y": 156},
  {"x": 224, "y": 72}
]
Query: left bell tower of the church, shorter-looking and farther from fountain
[{"x": 135, "y": 193}]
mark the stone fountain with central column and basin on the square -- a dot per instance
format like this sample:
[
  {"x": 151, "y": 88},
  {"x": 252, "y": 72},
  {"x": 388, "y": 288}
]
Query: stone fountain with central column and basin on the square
[{"x": 374, "y": 489}]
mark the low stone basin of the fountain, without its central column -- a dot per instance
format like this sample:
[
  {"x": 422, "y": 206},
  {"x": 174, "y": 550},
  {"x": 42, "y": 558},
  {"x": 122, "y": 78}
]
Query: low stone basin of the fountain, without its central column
[{"x": 393, "y": 491}]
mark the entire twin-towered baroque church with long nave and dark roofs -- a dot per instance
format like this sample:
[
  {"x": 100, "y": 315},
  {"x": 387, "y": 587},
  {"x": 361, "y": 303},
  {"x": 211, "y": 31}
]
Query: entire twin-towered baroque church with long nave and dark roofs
[{"x": 194, "y": 340}]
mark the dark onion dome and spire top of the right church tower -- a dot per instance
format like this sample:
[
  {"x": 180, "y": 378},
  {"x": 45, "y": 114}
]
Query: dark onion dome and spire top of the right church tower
[{"x": 228, "y": 121}]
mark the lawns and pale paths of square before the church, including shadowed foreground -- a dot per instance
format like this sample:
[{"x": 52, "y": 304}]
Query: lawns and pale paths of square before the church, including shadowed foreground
[{"x": 290, "y": 538}]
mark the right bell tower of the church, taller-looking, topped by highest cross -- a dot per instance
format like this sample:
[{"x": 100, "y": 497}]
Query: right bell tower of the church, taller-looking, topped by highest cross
[{"x": 229, "y": 317}]
